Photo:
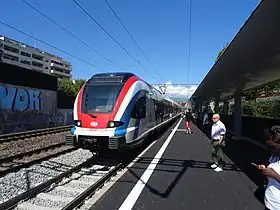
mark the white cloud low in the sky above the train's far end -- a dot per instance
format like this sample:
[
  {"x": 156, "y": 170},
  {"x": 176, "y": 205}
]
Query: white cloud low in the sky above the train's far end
[{"x": 183, "y": 92}]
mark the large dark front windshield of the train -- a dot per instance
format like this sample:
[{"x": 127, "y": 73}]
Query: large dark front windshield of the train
[{"x": 100, "y": 98}]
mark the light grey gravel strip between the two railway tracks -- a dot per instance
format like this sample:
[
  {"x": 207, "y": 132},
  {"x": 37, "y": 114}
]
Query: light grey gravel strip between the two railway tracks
[{"x": 16, "y": 183}]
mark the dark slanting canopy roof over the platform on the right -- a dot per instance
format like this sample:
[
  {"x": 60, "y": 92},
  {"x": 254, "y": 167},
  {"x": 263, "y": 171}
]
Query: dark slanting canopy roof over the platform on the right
[{"x": 250, "y": 60}]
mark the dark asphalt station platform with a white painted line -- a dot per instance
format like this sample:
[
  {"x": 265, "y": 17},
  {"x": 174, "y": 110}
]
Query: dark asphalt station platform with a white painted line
[{"x": 178, "y": 176}]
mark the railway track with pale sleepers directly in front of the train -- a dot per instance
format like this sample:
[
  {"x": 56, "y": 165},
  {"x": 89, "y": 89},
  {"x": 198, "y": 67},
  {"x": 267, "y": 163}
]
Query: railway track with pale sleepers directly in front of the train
[{"x": 67, "y": 190}]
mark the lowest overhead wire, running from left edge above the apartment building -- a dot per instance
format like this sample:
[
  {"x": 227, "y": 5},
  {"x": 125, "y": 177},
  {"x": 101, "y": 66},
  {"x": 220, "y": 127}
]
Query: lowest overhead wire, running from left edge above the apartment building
[{"x": 52, "y": 46}]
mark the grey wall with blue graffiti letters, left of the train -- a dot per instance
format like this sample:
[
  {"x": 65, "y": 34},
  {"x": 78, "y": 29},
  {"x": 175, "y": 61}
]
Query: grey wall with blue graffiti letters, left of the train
[{"x": 24, "y": 108}]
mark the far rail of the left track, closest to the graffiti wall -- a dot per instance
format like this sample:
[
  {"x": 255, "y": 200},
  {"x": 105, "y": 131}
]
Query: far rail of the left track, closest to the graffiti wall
[{"x": 33, "y": 133}]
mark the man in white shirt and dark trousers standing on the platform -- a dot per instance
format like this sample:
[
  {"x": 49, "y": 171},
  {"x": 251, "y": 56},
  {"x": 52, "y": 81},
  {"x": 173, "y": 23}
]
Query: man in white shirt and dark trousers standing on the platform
[{"x": 217, "y": 142}]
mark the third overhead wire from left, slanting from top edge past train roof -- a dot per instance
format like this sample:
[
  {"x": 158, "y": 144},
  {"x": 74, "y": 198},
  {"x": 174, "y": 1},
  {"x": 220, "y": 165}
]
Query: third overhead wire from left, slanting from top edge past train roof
[{"x": 123, "y": 48}]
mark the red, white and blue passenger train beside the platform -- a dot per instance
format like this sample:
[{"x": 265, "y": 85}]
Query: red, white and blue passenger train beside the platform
[{"x": 119, "y": 110}]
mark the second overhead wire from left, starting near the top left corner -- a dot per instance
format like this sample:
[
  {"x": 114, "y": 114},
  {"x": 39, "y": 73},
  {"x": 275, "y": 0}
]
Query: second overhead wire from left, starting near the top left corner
[{"x": 70, "y": 33}]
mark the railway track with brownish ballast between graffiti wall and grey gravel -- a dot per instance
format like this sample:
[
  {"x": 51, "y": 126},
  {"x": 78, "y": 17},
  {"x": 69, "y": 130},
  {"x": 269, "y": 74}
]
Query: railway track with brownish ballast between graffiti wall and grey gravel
[{"x": 25, "y": 148}]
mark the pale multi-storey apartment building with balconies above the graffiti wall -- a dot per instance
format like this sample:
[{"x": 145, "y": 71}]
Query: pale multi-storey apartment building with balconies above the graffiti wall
[{"x": 26, "y": 56}]
